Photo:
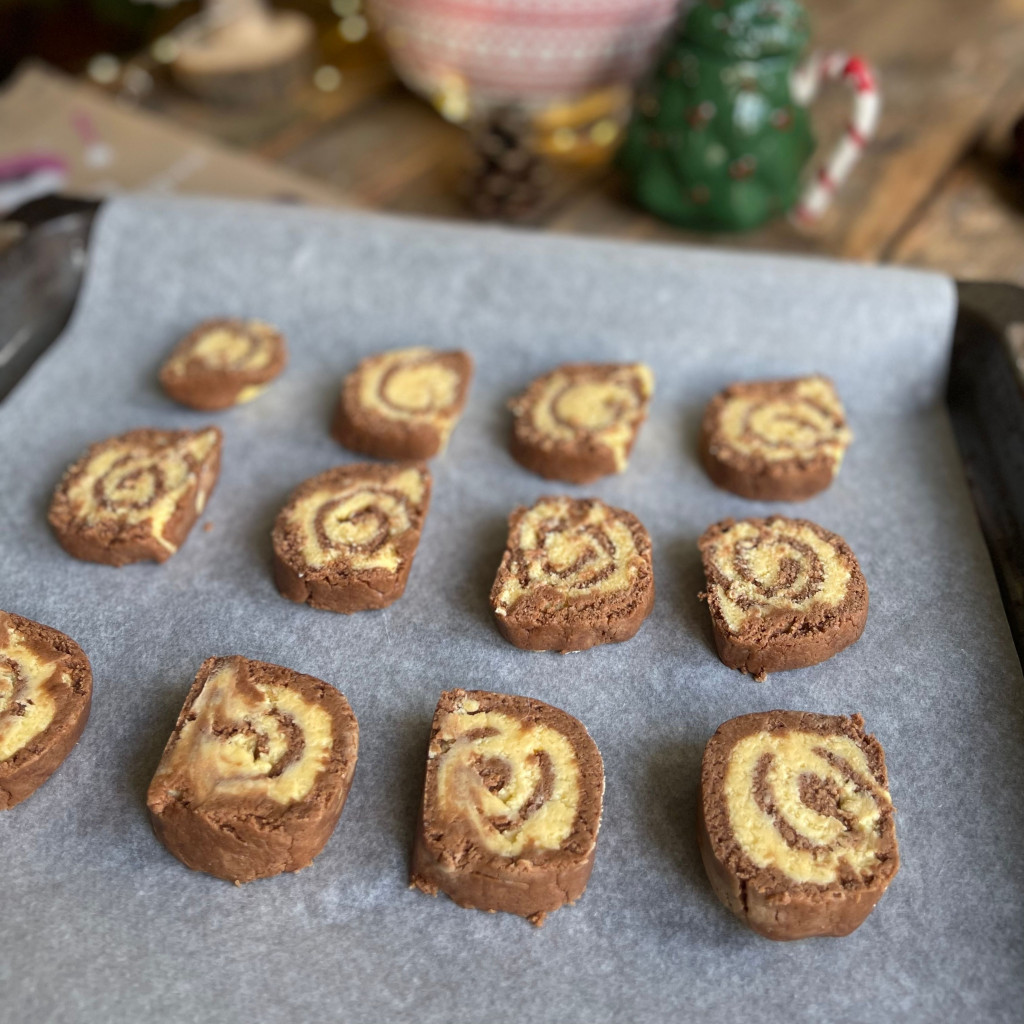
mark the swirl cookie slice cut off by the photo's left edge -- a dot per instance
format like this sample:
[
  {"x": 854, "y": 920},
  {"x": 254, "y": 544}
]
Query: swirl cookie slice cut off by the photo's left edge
[{"x": 46, "y": 693}]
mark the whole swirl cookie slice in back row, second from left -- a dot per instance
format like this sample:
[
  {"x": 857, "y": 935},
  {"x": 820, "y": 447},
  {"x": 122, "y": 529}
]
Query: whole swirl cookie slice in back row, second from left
[{"x": 403, "y": 404}]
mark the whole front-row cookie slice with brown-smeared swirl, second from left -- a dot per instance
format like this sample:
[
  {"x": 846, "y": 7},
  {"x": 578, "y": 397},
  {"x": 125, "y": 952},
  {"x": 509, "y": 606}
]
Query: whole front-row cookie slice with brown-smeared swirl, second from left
[{"x": 255, "y": 775}]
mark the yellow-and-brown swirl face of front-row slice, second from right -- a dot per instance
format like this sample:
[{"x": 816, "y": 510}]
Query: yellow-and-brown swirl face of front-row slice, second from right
[{"x": 516, "y": 783}]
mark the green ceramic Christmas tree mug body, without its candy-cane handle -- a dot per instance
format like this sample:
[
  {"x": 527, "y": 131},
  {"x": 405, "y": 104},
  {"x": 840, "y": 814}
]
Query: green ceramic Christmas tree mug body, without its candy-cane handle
[{"x": 717, "y": 141}]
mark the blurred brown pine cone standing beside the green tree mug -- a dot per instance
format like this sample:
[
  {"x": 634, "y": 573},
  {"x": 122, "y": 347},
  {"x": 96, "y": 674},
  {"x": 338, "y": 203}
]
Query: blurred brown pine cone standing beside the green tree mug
[{"x": 507, "y": 180}]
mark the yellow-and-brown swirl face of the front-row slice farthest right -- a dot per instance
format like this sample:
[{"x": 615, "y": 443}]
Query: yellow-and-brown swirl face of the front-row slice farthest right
[{"x": 806, "y": 805}]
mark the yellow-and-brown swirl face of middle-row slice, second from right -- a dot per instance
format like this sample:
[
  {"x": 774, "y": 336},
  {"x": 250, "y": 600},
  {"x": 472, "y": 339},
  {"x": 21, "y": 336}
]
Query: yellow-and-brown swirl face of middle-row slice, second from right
[{"x": 581, "y": 551}]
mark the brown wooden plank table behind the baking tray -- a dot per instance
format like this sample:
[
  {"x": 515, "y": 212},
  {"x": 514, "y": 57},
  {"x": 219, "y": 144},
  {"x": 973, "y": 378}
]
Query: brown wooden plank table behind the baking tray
[{"x": 930, "y": 192}]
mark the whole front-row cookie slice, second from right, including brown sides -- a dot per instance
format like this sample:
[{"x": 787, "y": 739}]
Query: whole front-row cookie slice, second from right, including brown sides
[{"x": 511, "y": 805}]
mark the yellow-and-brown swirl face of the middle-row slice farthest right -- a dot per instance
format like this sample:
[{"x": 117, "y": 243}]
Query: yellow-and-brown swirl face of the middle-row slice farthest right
[{"x": 777, "y": 567}]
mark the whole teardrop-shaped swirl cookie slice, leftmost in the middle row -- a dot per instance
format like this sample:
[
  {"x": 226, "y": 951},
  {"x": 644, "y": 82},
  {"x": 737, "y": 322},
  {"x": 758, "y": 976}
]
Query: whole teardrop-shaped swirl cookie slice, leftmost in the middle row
[{"x": 136, "y": 497}]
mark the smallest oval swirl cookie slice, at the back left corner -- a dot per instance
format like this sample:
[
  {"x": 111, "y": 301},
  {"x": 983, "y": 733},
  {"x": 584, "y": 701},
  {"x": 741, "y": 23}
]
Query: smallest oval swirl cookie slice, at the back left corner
[{"x": 224, "y": 363}]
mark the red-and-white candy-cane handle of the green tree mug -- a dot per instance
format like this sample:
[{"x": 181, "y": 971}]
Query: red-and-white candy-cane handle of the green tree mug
[{"x": 807, "y": 80}]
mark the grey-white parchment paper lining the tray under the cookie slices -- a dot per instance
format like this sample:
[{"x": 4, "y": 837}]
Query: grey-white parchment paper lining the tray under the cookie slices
[{"x": 103, "y": 925}]
